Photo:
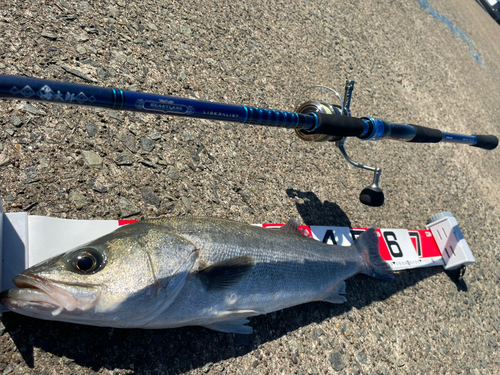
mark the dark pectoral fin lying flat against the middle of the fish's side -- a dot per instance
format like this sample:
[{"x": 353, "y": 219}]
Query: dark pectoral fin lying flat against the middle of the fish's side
[{"x": 226, "y": 273}]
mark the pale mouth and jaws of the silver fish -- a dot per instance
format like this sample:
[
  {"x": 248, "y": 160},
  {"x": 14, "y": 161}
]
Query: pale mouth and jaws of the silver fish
[{"x": 38, "y": 295}]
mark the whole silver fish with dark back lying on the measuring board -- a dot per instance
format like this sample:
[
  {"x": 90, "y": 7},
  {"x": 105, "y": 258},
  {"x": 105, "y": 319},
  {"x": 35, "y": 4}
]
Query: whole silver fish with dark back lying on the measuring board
[{"x": 173, "y": 272}]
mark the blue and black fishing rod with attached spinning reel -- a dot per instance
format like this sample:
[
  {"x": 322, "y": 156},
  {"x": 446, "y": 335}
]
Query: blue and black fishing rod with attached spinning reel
[{"x": 313, "y": 120}]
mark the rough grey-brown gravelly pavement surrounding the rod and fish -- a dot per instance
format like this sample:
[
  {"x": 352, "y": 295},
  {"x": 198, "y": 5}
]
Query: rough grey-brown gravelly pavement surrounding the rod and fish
[{"x": 433, "y": 63}]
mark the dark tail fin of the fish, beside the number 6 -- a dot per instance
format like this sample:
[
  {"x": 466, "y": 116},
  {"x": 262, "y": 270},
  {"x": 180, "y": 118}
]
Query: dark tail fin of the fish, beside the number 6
[{"x": 368, "y": 245}]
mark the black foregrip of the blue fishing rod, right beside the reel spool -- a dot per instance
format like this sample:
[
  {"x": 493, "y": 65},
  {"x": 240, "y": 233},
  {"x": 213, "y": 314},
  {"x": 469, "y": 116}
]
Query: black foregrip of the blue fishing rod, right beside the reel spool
[{"x": 338, "y": 125}]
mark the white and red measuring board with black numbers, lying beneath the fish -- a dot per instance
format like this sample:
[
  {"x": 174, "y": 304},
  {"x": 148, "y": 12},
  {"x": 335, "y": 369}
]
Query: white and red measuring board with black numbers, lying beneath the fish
[{"x": 28, "y": 239}]
